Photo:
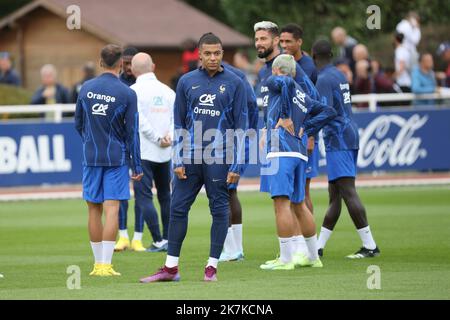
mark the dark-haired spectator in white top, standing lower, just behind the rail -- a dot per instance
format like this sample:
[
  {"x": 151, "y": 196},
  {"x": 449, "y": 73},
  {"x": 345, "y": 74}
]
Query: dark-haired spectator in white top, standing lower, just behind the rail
[{"x": 402, "y": 64}]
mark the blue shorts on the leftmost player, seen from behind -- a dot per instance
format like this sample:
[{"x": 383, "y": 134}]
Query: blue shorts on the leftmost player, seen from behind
[{"x": 106, "y": 183}]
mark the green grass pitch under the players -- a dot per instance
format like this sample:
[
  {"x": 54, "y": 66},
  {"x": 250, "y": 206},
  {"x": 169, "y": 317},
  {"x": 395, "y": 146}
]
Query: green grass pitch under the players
[{"x": 39, "y": 240}]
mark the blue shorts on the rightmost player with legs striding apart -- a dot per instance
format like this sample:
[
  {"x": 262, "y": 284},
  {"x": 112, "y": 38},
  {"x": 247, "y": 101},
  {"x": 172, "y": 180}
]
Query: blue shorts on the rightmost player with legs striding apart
[{"x": 341, "y": 164}]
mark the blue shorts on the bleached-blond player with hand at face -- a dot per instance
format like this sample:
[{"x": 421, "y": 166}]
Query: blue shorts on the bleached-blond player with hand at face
[{"x": 290, "y": 180}]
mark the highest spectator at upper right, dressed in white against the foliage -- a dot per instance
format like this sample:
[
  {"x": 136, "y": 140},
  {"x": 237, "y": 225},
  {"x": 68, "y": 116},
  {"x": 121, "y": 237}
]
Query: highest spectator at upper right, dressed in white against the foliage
[{"x": 410, "y": 28}]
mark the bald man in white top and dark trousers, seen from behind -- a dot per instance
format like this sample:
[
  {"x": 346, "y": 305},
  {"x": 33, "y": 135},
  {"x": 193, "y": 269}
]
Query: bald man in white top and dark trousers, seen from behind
[{"x": 155, "y": 106}]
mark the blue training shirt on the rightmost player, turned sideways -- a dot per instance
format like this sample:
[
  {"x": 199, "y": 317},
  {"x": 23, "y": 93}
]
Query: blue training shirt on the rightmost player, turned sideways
[{"x": 342, "y": 132}]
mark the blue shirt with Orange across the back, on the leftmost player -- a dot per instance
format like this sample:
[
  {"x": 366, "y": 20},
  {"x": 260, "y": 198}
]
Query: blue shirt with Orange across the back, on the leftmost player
[{"x": 107, "y": 120}]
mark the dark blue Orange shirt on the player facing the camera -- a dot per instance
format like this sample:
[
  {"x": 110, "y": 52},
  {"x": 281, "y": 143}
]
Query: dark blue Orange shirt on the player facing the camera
[{"x": 217, "y": 103}]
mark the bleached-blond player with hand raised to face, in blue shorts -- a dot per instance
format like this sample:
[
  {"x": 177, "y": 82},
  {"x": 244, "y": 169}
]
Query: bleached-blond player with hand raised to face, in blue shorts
[{"x": 288, "y": 109}]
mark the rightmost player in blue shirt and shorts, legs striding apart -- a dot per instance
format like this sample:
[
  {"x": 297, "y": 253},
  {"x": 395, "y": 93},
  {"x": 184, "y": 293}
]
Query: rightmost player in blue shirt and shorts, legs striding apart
[{"x": 342, "y": 143}]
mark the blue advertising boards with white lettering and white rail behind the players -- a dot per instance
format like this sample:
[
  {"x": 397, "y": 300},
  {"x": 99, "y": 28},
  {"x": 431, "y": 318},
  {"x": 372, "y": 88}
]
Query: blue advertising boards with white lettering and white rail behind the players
[{"x": 36, "y": 152}]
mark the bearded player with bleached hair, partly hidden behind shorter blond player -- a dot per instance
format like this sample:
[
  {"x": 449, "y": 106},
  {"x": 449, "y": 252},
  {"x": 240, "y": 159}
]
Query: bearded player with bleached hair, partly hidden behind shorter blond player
[{"x": 267, "y": 39}]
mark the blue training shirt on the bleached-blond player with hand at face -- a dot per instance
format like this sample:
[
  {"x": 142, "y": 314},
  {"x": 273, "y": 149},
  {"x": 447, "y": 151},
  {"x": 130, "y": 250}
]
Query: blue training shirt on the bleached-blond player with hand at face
[{"x": 288, "y": 100}]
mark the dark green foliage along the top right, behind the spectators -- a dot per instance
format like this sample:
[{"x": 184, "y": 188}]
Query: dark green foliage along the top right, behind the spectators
[{"x": 319, "y": 17}]
